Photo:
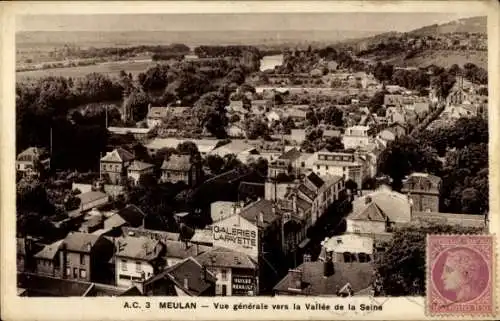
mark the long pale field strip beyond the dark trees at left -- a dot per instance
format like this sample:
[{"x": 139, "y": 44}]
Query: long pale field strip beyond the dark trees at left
[{"x": 111, "y": 69}]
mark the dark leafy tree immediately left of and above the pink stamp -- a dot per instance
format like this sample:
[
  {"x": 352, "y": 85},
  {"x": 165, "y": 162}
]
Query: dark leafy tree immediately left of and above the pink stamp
[{"x": 402, "y": 266}]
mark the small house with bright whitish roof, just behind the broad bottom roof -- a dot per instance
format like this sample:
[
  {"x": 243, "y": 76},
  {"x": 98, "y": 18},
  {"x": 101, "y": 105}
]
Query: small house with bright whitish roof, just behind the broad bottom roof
[{"x": 347, "y": 248}]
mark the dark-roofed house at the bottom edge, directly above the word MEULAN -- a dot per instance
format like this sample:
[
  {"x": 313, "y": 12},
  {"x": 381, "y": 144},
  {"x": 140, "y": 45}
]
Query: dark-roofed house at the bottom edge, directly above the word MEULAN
[{"x": 186, "y": 278}]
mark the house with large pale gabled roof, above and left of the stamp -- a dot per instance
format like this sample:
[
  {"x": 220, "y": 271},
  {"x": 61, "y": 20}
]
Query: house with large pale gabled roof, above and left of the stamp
[{"x": 377, "y": 212}]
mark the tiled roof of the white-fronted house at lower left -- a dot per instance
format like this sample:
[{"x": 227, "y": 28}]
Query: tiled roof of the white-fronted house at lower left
[{"x": 140, "y": 248}]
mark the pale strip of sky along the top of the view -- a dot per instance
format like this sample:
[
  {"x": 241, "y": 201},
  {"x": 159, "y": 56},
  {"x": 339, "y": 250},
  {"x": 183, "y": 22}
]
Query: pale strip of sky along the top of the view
[{"x": 219, "y": 22}]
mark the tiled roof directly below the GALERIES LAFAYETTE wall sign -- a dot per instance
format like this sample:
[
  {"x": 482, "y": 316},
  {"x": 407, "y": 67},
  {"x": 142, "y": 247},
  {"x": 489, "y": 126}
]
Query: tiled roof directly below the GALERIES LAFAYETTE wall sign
[{"x": 223, "y": 257}]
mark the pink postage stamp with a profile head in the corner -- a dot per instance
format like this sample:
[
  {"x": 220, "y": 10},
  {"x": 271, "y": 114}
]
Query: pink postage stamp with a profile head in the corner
[{"x": 460, "y": 278}]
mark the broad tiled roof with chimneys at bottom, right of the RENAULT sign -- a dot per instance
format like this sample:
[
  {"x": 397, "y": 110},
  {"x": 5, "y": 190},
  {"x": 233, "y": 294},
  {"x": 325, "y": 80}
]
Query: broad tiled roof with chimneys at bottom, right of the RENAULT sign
[{"x": 358, "y": 275}]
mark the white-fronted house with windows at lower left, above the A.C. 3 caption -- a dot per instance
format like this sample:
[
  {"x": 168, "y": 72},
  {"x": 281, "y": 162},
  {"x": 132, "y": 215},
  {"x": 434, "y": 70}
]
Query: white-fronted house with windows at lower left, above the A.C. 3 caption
[{"x": 137, "y": 258}]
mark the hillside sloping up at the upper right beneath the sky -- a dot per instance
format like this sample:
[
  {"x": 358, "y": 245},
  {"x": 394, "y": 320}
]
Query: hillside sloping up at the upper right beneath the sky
[{"x": 456, "y": 42}]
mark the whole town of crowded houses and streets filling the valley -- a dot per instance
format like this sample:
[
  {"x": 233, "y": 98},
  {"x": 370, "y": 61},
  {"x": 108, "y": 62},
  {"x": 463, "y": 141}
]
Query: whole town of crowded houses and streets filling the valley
[{"x": 297, "y": 197}]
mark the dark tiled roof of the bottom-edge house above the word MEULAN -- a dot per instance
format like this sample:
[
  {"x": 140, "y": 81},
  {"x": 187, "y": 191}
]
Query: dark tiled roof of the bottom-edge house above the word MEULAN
[{"x": 192, "y": 271}]
